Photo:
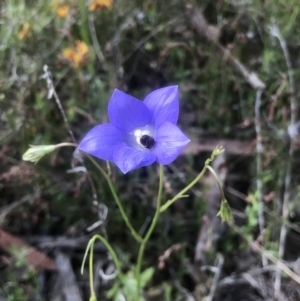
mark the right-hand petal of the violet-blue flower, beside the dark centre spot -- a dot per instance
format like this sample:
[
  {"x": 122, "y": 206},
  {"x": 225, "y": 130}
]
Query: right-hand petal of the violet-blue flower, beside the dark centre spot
[{"x": 170, "y": 141}]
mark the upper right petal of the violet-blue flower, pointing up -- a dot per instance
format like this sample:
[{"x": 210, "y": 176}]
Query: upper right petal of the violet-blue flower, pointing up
[{"x": 163, "y": 103}]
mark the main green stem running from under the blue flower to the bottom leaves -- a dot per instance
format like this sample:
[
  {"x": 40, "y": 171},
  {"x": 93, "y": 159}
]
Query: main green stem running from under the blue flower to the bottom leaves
[{"x": 151, "y": 228}]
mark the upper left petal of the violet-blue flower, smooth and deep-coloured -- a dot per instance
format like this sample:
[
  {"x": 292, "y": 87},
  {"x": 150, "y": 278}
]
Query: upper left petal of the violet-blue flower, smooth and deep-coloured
[{"x": 126, "y": 112}]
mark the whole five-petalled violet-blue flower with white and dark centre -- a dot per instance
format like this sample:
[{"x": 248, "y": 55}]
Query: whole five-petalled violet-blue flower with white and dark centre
[{"x": 139, "y": 133}]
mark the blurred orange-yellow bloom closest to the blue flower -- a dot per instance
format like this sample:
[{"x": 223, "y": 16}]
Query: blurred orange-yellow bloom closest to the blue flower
[{"x": 76, "y": 55}]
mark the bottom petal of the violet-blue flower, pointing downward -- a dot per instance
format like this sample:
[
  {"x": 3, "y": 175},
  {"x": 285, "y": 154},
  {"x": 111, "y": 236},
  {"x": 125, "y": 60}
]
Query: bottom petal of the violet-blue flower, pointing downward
[{"x": 127, "y": 158}]
